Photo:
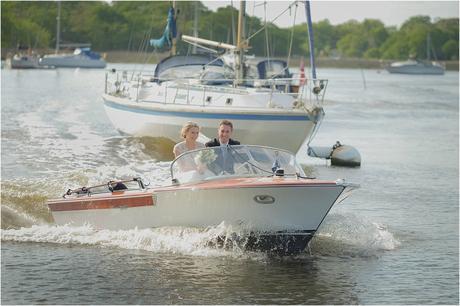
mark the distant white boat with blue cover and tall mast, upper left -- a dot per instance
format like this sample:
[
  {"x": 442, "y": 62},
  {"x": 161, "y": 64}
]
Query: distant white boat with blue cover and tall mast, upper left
[{"x": 82, "y": 57}]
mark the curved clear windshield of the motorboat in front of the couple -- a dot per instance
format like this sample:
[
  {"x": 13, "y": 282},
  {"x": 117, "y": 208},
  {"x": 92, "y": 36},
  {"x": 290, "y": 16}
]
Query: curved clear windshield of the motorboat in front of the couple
[{"x": 235, "y": 161}]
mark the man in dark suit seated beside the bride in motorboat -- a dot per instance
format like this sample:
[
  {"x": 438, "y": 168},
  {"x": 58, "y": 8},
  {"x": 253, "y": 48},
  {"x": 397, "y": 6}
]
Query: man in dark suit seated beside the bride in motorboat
[{"x": 224, "y": 158}]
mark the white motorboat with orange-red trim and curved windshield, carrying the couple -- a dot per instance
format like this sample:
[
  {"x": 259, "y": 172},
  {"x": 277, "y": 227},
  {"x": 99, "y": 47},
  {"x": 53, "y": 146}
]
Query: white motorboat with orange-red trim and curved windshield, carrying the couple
[{"x": 260, "y": 189}]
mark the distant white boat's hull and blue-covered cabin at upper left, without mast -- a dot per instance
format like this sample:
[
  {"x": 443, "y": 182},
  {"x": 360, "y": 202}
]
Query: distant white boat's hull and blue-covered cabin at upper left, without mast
[{"x": 80, "y": 58}]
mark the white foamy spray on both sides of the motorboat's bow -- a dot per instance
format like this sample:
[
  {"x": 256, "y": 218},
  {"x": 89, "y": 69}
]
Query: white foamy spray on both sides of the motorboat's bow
[{"x": 336, "y": 238}]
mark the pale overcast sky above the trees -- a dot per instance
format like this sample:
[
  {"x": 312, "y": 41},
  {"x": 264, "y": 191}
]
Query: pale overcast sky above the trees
[{"x": 389, "y": 12}]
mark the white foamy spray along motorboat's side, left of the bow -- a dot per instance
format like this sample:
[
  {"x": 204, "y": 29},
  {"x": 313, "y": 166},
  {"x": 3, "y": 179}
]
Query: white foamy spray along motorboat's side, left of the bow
[{"x": 177, "y": 240}]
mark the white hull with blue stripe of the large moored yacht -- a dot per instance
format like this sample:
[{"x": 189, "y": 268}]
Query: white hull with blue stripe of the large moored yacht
[{"x": 287, "y": 129}]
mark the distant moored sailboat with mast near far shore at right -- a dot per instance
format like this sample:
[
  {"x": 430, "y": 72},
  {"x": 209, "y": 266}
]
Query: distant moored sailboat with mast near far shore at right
[{"x": 413, "y": 66}]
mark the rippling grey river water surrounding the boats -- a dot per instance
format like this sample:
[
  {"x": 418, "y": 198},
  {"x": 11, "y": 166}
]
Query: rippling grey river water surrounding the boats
[{"x": 394, "y": 241}]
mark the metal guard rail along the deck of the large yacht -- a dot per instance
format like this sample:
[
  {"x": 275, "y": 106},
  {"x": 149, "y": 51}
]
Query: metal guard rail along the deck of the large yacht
[{"x": 305, "y": 93}]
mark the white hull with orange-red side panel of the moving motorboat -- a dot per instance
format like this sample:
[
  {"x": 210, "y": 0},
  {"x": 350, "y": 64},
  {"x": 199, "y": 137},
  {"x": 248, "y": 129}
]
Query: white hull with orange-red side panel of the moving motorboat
[{"x": 280, "y": 216}]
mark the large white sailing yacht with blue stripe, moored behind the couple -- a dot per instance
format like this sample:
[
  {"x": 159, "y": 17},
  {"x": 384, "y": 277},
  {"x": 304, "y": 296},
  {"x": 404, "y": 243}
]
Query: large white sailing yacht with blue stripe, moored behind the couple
[{"x": 267, "y": 105}]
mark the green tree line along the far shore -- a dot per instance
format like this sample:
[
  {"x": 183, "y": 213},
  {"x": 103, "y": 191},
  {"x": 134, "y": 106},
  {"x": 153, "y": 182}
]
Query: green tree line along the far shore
[{"x": 129, "y": 25}]
